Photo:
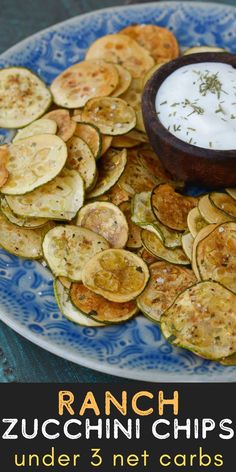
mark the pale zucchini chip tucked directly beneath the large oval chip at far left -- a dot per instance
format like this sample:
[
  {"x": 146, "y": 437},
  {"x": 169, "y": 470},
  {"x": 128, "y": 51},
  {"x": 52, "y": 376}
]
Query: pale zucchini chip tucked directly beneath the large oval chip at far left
[{"x": 59, "y": 199}]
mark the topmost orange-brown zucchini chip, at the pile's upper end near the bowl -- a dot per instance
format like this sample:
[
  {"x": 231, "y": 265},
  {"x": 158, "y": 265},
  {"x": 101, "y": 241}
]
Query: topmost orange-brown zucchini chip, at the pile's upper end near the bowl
[{"x": 159, "y": 42}]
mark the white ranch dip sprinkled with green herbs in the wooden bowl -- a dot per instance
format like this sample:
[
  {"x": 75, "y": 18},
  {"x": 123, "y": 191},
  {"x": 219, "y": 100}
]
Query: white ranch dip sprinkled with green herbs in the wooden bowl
[{"x": 197, "y": 103}]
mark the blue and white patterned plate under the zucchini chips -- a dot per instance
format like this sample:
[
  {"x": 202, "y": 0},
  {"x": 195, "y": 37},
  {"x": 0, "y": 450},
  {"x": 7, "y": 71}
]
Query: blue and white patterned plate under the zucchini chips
[{"x": 136, "y": 349}]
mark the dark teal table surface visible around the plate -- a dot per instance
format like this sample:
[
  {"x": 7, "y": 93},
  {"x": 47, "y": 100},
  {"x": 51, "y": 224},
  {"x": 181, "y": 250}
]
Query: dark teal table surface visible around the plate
[{"x": 20, "y": 360}]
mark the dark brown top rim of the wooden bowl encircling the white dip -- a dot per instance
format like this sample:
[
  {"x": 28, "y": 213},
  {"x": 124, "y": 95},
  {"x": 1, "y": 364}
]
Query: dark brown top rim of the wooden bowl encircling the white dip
[{"x": 149, "y": 107}]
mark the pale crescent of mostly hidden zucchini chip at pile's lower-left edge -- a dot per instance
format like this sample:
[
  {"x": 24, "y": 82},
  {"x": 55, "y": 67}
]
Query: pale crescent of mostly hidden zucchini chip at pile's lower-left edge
[{"x": 69, "y": 310}]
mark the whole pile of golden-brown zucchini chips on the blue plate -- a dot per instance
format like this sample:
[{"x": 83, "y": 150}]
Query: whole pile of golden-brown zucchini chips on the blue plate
[{"x": 82, "y": 190}]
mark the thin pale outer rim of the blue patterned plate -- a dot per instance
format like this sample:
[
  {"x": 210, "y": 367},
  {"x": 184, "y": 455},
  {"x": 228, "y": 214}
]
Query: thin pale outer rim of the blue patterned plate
[{"x": 134, "y": 374}]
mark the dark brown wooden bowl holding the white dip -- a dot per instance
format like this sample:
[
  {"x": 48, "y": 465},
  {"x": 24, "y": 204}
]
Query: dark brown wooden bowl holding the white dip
[{"x": 193, "y": 164}]
